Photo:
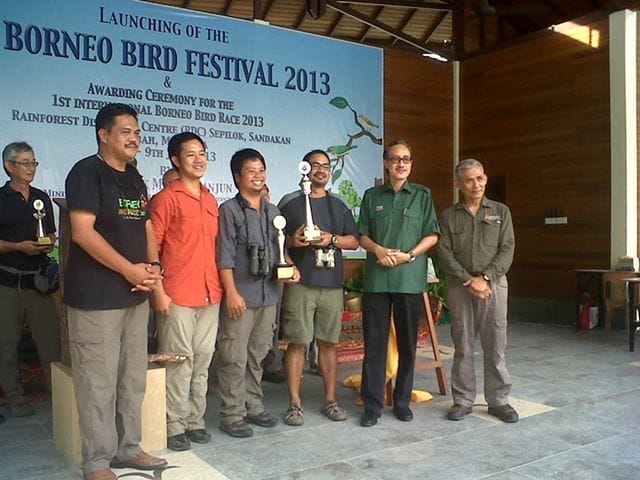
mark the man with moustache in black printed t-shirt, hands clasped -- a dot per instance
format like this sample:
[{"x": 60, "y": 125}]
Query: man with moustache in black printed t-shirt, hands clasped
[{"x": 113, "y": 264}]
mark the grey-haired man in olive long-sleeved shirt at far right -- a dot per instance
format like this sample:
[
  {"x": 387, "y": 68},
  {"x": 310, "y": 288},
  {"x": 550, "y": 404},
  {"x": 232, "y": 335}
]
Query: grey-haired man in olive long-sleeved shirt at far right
[{"x": 475, "y": 252}]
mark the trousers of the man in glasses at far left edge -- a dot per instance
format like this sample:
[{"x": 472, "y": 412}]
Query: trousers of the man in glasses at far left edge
[{"x": 39, "y": 312}]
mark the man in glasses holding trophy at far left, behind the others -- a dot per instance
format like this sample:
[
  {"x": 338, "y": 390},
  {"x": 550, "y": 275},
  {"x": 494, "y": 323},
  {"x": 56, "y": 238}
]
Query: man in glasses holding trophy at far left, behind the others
[{"x": 21, "y": 256}]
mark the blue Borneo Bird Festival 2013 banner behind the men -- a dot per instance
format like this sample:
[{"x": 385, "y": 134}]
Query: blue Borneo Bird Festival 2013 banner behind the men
[{"x": 235, "y": 83}]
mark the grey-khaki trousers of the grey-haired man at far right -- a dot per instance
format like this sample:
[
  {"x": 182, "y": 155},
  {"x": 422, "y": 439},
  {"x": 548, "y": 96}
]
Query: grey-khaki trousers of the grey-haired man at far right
[{"x": 471, "y": 317}]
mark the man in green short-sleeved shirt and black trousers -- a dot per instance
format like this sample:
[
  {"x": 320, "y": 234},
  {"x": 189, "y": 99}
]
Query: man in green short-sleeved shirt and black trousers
[{"x": 398, "y": 225}]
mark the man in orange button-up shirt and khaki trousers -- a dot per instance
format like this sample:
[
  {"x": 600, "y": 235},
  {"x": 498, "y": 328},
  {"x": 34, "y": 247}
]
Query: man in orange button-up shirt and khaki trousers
[{"x": 185, "y": 219}]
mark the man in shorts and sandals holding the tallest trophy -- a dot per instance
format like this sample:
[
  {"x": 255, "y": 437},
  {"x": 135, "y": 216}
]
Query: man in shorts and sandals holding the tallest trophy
[{"x": 313, "y": 308}]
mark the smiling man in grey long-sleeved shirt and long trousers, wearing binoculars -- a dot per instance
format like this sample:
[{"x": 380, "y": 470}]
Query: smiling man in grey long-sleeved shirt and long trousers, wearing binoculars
[{"x": 246, "y": 256}]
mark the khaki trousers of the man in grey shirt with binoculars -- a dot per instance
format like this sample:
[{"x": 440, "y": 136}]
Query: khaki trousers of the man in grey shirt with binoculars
[{"x": 242, "y": 345}]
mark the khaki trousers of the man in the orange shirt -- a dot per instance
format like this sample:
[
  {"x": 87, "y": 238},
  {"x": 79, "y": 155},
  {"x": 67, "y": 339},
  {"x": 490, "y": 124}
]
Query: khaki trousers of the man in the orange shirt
[{"x": 189, "y": 331}]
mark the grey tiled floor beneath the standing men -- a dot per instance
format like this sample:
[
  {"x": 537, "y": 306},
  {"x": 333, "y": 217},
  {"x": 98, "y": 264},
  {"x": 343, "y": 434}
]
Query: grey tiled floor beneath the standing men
[{"x": 578, "y": 396}]
